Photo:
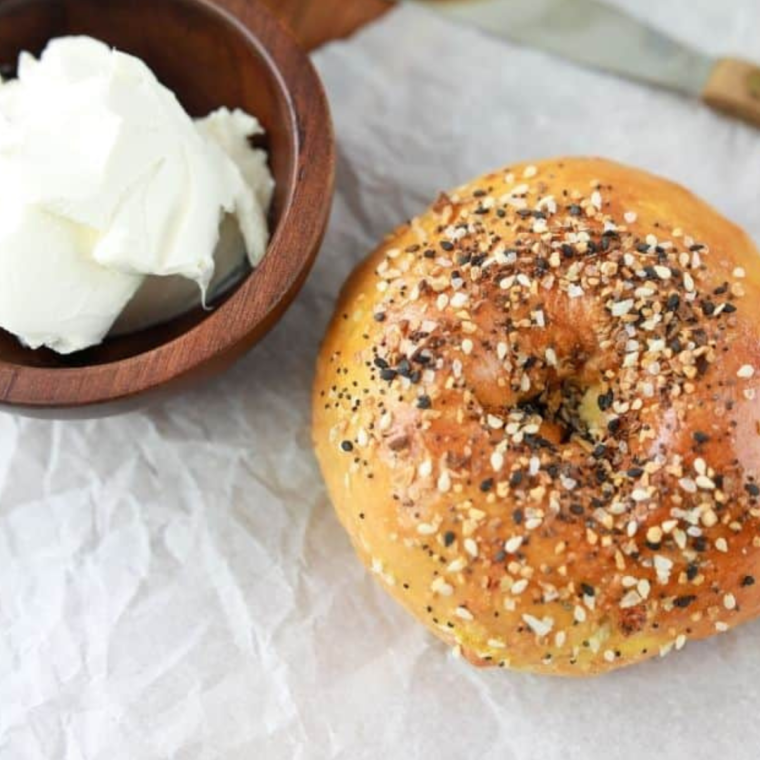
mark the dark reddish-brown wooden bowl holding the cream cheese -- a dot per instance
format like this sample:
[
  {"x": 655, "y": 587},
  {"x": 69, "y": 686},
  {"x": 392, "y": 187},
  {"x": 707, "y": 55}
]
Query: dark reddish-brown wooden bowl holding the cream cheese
[{"x": 225, "y": 53}]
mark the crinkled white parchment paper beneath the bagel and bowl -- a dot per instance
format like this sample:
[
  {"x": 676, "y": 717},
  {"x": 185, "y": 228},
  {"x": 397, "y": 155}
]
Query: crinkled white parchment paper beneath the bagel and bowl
[{"x": 173, "y": 583}]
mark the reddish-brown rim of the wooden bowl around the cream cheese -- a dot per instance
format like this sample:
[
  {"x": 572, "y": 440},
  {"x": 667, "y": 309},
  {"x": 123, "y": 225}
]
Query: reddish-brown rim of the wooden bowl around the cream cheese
[{"x": 243, "y": 319}]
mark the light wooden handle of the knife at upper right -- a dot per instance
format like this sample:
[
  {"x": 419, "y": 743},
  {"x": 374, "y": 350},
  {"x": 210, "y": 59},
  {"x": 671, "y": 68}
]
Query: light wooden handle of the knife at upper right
[{"x": 734, "y": 88}]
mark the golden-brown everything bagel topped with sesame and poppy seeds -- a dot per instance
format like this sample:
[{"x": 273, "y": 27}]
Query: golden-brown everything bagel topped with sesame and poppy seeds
[{"x": 537, "y": 414}]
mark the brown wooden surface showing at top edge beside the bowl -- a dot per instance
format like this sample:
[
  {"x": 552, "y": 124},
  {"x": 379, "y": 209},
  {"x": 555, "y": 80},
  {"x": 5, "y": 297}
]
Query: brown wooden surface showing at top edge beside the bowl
[{"x": 315, "y": 22}]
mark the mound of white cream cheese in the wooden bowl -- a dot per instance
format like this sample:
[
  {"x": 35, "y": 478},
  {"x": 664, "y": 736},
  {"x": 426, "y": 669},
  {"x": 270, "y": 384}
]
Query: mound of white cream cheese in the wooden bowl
[{"x": 106, "y": 181}]
